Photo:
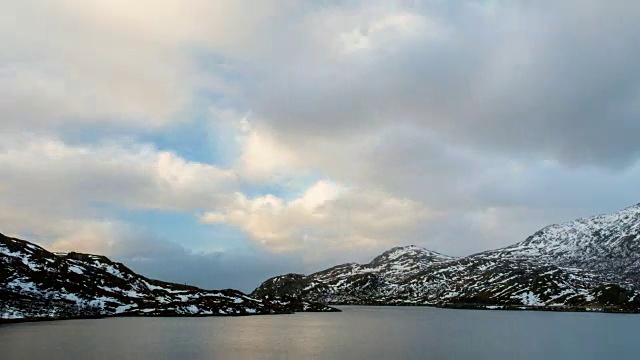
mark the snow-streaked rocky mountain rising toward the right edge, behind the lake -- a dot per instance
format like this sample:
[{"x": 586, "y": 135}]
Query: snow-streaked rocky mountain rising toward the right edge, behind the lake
[{"x": 587, "y": 264}]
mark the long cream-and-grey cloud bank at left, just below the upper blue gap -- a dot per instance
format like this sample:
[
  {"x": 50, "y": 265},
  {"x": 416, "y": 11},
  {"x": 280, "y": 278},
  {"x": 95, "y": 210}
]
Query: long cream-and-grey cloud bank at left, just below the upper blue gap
[{"x": 48, "y": 174}]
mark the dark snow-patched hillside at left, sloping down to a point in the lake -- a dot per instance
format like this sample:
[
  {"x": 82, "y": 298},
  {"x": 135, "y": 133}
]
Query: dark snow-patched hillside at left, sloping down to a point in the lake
[{"x": 35, "y": 283}]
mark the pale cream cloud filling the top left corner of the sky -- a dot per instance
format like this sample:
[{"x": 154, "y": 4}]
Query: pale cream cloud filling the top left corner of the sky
[{"x": 71, "y": 66}]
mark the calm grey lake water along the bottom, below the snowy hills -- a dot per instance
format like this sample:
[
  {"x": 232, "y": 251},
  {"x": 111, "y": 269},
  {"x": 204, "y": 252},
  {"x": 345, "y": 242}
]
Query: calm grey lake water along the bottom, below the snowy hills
[{"x": 356, "y": 333}]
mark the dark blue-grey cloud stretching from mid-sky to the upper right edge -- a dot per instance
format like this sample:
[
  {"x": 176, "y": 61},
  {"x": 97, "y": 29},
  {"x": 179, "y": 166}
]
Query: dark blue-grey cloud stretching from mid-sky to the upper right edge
[{"x": 557, "y": 81}]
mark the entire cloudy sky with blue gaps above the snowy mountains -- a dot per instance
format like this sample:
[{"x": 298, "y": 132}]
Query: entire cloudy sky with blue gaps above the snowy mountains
[{"x": 219, "y": 143}]
